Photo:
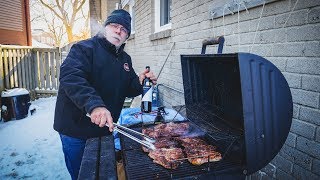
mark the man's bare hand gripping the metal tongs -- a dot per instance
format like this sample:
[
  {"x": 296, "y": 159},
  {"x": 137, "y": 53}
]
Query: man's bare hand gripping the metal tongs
[{"x": 101, "y": 116}]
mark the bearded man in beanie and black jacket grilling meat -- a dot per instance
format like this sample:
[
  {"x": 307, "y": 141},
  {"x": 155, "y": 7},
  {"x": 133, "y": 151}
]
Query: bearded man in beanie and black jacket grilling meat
[{"x": 95, "y": 79}]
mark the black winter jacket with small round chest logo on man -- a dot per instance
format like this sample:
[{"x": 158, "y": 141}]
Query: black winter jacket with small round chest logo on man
[{"x": 93, "y": 75}]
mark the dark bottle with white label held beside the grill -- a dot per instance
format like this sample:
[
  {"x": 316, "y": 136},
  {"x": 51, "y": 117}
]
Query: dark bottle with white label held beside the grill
[{"x": 146, "y": 100}]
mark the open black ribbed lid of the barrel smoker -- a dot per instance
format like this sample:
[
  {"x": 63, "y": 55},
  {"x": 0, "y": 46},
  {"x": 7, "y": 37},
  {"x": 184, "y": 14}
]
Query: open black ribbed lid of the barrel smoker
[{"x": 265, "y": 114}]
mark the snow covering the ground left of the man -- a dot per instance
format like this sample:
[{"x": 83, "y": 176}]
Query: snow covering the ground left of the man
[{"x": 30, "y": 148}]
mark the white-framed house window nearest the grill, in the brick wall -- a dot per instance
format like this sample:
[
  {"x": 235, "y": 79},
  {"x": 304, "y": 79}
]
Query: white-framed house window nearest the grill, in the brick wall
[{"x": 162, "y": 15}]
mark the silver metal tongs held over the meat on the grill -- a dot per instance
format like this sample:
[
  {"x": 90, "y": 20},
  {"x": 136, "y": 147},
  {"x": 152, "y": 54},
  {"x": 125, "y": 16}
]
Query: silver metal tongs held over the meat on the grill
[{"x": 148, "y": 142}]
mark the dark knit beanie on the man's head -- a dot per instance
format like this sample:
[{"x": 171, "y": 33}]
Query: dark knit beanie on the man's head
[{"x": 122, "y": 17}]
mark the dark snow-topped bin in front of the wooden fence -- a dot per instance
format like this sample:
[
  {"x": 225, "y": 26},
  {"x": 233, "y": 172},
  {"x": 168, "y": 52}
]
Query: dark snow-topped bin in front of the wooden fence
[{"x": 15, "y": 104}]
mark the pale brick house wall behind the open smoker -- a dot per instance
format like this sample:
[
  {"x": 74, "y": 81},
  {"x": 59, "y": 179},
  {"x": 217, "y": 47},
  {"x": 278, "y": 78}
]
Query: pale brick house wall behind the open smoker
[{"x": 293, "y": 48}]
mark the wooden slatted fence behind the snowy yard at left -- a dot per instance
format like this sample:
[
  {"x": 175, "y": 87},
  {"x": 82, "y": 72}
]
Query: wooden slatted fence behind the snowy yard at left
[{"x": 36, "y": 69}]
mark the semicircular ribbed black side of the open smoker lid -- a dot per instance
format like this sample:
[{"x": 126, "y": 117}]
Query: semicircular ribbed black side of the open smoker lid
[{"x": 267, "y": 109}]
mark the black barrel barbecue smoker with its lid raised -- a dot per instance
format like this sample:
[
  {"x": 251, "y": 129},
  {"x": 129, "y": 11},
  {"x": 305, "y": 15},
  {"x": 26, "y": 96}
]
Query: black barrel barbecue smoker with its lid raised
[{"x": 242, "y": 104}]
